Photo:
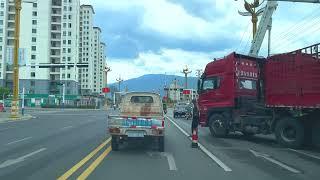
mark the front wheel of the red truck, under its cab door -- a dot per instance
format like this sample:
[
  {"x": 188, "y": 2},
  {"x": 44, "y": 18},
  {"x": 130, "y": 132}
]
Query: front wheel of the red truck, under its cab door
[{"x": 217, "y": 125}]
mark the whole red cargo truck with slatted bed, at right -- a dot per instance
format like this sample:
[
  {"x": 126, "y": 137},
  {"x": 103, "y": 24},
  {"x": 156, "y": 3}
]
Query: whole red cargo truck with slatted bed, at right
[{"x": 280, "y": 94}]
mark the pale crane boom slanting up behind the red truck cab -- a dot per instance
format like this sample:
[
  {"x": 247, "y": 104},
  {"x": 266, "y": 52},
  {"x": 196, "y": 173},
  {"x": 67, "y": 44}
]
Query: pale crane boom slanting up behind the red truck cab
[{"x": 266, "y": 25}]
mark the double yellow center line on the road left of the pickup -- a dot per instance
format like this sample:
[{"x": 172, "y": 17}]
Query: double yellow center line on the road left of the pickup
[{"x": 92, "y": 166}]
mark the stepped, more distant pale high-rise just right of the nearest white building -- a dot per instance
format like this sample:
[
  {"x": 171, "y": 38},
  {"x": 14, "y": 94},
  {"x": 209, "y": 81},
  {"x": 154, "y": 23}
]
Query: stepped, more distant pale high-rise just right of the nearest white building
[{"x": 90, "y": 51}]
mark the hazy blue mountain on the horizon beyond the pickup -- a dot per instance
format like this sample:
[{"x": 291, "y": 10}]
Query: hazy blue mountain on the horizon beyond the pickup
[{"x": 155, "y": 82}]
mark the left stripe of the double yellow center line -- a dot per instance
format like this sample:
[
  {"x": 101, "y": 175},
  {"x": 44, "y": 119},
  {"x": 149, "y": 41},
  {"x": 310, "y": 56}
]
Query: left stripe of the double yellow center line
[{"x": 83, "y": 161}]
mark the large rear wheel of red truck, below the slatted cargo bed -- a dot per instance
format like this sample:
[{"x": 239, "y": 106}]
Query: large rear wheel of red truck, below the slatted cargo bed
[{"x": 290, "y": 132}]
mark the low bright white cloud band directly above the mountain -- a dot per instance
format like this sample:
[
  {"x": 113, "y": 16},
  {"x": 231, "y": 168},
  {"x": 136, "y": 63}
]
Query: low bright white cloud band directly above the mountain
[{"x": 169, "y": 61}]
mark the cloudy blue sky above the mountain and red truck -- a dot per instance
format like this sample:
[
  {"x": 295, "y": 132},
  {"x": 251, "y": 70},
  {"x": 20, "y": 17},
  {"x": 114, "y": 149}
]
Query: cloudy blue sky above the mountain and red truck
[{"x": 165, "y": 36}]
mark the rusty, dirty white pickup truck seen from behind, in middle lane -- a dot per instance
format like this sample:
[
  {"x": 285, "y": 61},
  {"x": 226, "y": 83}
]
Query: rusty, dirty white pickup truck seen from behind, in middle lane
[{"x": 141, "y": 117}]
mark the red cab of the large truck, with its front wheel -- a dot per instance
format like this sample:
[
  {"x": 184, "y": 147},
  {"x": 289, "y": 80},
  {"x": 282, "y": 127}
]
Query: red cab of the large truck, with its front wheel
[{"x": 229, "y": 92}]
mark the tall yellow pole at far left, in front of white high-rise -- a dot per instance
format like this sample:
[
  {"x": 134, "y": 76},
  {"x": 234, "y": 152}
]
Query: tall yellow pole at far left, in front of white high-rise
[{"x": 15, "y": 100}]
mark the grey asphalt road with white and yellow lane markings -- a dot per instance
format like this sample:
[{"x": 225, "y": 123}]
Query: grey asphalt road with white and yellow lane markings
[{"x": 74, "y": 144}]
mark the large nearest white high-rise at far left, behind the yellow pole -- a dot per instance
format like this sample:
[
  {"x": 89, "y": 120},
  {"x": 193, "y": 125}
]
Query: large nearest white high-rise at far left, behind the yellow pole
[{"x": 49, "y": 32}]
